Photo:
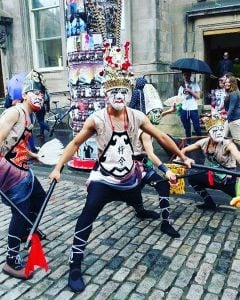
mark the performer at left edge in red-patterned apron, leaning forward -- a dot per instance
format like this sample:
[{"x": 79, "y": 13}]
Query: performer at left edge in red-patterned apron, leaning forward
[{"x": 17, "y": 181}]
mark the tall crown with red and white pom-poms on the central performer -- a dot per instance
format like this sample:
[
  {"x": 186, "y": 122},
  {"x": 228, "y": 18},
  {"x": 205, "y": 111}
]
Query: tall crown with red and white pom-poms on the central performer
[{"x": 117, "y": 65}]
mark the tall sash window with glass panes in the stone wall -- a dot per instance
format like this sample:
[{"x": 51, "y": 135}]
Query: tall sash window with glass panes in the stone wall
[{"x": 47, "y": 26}]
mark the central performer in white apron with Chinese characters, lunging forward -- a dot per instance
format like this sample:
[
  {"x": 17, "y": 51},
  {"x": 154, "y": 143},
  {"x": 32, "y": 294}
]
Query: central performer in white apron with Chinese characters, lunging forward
[{"x": 116, "y": 176}]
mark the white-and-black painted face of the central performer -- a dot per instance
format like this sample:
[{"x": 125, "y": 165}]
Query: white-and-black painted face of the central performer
[{"x": 118, "y": 98}]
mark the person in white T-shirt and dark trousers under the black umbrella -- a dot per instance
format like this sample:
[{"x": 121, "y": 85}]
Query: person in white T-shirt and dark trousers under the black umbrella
[{"x": 189, "y": 111}]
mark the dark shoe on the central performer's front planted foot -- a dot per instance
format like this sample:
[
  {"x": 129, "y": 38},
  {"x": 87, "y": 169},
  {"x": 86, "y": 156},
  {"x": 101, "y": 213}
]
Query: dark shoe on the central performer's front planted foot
[{"x": 75, "y": 280}]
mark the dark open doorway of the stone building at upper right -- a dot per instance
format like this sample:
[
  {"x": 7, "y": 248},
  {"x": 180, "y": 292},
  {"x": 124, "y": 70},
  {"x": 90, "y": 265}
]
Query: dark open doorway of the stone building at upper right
[{"x": 215, "y": 46}]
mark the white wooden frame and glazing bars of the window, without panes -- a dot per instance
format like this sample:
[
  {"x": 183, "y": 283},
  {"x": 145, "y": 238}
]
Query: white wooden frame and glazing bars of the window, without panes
[{"x": 34, "y": 39}]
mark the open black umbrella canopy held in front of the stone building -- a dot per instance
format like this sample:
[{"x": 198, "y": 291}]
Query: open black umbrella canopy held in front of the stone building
[{"x": 191, "y": 64}]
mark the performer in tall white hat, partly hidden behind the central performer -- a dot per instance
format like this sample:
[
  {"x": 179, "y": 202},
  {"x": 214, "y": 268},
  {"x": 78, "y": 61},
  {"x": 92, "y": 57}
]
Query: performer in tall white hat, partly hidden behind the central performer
[{"x": 149, "y": 102}]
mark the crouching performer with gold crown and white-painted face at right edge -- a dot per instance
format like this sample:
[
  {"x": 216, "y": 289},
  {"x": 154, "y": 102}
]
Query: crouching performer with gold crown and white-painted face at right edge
[{"x": 219, "y": 153}]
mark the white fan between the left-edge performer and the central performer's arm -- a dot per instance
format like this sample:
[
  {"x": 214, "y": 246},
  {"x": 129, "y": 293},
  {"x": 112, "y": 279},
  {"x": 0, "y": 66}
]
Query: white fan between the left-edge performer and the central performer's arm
[{"x": 50, "y": 152}]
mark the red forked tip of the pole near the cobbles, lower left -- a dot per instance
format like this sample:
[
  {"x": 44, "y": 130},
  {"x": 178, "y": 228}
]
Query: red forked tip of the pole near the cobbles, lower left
[{"x": 36, "y": 256}]
